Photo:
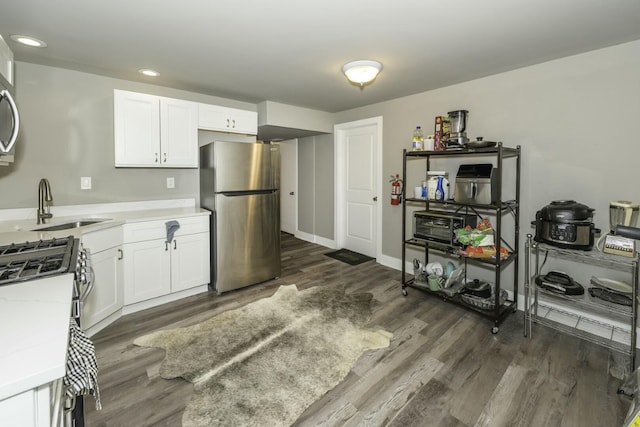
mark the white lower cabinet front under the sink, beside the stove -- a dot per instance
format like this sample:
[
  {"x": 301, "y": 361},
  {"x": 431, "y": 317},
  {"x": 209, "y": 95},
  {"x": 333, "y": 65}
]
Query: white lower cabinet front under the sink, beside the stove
[{"x": 106, "y": 297}]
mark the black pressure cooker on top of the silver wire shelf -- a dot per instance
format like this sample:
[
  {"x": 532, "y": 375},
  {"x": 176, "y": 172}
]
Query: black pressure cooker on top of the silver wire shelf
[{"x": 566, "y": 224}]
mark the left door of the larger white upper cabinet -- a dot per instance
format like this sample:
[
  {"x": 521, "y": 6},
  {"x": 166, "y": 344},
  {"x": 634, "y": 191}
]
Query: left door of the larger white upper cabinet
[{"x": 136, "y": 120}]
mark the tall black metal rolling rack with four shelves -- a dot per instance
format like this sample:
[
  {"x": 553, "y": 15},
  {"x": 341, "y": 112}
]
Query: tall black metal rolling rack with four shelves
[{"x": 500, "y": 309}]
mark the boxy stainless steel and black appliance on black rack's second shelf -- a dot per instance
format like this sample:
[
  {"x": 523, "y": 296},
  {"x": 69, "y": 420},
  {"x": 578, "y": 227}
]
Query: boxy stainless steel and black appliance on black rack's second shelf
[{"x": 476, "y": 184}]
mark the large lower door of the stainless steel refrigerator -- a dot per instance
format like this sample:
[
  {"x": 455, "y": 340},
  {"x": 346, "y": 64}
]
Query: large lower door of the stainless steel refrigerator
[{"x": 246, "y": 240}]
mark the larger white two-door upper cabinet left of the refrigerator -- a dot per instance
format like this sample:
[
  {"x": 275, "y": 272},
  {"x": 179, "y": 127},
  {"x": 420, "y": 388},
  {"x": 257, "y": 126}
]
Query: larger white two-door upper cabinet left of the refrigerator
[{"x": 154, "y": 131}]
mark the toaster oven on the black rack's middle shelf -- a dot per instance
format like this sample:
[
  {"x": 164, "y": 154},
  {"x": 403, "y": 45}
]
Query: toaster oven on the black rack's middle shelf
[{"x": 440, "y": 226}]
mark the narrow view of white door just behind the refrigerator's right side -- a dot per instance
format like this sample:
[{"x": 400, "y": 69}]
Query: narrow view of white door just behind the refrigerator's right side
[{"x": 289, "y": 186}]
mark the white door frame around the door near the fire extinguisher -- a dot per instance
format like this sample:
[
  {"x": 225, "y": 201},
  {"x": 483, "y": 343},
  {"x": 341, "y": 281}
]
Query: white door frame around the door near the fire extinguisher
[{"x": 340, "y": 194}]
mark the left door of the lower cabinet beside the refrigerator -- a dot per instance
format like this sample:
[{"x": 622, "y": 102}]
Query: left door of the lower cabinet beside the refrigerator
[{"x": 147, "y": 271}]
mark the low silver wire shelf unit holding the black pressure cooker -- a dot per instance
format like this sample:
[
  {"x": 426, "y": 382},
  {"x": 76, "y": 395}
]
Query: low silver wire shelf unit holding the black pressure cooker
[{"x": 562, "y": 312}]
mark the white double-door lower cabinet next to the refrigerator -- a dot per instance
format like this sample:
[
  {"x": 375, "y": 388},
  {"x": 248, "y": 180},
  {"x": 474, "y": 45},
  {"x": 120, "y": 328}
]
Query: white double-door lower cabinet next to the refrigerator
[{"x": 154, "y": 267}]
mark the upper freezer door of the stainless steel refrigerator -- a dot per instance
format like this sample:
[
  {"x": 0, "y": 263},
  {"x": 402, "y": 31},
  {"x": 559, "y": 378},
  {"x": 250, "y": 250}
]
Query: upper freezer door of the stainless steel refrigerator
[{"x": 244, "y": 166}]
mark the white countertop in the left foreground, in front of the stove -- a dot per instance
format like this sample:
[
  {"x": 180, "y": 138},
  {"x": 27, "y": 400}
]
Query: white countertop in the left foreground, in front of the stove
[{"x": 34, "y": 328}]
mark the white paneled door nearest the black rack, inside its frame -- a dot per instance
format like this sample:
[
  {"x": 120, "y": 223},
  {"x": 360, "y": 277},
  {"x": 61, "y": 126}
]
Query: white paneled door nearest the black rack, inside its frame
[{"x": 358, "y": 164}]
